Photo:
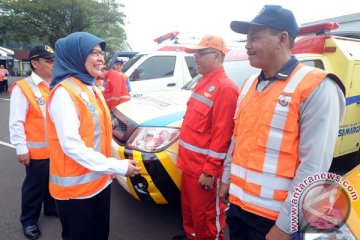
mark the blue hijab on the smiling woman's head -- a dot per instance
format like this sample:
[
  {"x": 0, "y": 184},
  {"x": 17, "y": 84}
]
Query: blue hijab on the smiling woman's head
[{"x": 70, "y": 56}]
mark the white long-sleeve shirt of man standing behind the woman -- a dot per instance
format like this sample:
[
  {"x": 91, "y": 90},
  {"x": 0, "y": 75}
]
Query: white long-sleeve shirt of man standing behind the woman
[{"x": 19, "y": 106}]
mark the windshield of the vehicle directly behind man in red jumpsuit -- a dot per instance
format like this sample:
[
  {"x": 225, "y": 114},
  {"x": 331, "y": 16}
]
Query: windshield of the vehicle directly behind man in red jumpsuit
[{"x": 238, "y": 71}]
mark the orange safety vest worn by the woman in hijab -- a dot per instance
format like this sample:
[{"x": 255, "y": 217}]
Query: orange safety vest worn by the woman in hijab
[{"x": 68, "y": 179}]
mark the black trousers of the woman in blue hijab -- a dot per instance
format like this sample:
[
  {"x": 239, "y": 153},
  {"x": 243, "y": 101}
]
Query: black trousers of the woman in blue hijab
[{"x": 85, "y": 218}]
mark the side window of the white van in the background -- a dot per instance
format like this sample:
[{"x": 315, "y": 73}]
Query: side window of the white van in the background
[{"x": 155, "y": 67}]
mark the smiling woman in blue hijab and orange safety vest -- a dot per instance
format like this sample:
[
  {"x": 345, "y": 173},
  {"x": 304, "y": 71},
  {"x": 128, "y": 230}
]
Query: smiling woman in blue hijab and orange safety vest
[{"x": 79, "y": 135}]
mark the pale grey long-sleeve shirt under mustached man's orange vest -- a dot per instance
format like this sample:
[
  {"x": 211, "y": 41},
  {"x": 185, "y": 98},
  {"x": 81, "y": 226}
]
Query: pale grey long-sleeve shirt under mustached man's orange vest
[{"x": 320, "y": 115}]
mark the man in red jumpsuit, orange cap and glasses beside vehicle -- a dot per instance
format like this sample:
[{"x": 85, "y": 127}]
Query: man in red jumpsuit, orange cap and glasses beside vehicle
[{"x": 204, "y": 140}]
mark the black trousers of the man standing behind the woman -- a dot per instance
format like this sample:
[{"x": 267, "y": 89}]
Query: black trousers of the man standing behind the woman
[{"x": 35, "y": 192}]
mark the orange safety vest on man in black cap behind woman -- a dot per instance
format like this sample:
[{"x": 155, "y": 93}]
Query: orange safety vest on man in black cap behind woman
[{"x": 35, "y": 122}]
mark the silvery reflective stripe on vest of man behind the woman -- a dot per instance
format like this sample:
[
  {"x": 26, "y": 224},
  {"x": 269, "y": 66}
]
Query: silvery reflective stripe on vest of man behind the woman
[{"x": 41, "y": 103}]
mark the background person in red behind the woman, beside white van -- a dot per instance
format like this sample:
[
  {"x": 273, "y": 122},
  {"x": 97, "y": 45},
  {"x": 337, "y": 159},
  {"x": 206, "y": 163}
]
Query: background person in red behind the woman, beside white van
[{"x": 115, "y": 91}]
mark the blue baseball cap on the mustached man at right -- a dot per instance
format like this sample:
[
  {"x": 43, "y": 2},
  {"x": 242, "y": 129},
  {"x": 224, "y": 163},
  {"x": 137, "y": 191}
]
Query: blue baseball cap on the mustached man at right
[{"x": 273, "y": 16}]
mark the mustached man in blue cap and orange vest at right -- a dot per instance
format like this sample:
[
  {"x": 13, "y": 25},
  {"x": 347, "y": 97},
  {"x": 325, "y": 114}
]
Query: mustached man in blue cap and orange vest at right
[{"x": 286, "y": 126}]
